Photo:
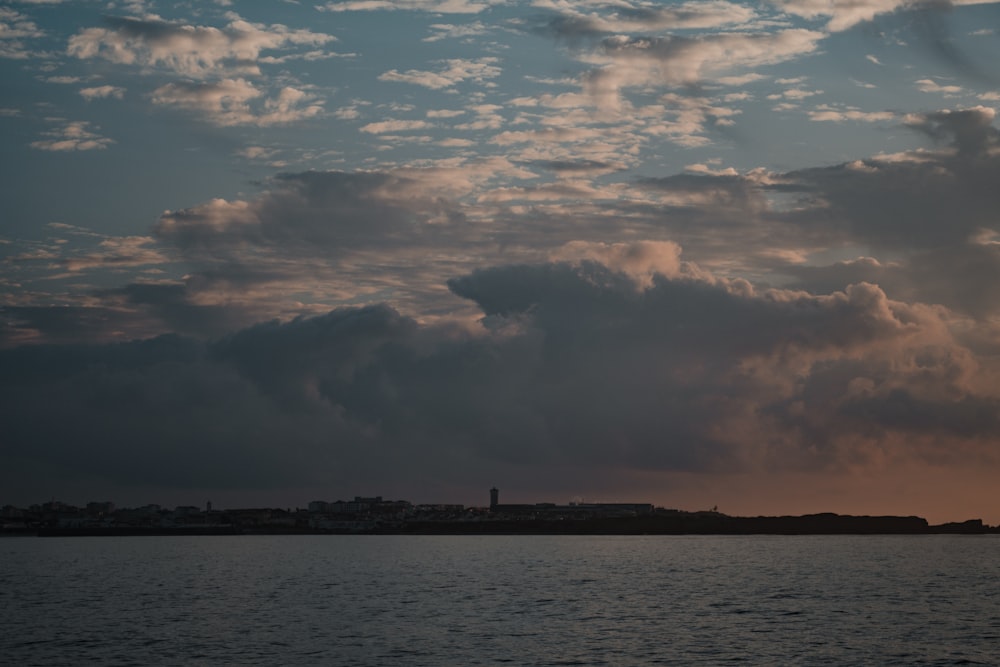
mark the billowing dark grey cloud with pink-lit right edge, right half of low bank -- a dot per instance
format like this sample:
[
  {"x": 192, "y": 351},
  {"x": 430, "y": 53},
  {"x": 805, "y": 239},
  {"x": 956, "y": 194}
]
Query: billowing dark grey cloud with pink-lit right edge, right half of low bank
[{"x": 680, "y": 345}]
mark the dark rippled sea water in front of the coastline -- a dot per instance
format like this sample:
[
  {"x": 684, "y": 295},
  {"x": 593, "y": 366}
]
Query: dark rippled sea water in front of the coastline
[{"x": 486, "y": 600}]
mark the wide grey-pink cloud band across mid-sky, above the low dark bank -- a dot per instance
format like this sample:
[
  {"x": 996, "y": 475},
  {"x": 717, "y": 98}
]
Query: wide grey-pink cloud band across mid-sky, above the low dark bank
[{"x": 317, "y": 234}]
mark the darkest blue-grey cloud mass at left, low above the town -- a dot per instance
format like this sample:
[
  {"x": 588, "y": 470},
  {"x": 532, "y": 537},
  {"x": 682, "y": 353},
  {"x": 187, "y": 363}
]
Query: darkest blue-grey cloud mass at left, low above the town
[{"x": 174, "y": 412}]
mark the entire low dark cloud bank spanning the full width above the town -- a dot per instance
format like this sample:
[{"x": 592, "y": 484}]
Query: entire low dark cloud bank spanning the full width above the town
[{"x": 580, "y": 366}]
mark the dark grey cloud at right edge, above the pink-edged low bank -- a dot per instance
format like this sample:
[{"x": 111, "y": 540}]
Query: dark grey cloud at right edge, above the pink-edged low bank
[{"x": 933, "y": 213}]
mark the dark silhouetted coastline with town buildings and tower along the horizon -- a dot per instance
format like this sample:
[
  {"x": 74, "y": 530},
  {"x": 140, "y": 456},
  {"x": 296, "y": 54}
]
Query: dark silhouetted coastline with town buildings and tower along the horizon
[{"x": 376, "y": 516}]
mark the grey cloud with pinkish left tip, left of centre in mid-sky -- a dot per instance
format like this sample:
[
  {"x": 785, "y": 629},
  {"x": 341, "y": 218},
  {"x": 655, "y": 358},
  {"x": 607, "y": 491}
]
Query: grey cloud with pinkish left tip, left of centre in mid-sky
[{"x": 333, "y": 212}]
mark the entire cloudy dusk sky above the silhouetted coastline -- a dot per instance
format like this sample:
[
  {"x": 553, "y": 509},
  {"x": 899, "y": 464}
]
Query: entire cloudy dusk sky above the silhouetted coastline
[{"x": 705, "y": 253}]
